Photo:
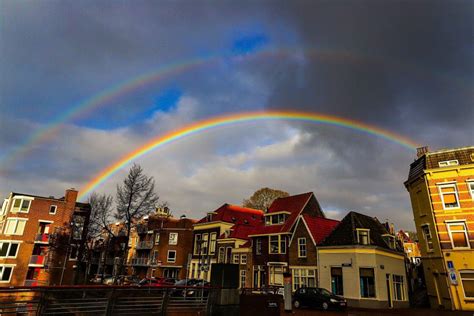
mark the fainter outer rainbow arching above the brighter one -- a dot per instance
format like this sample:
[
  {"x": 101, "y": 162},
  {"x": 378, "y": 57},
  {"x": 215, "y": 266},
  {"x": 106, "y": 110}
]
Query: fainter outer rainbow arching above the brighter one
[{"x": 50, "y": 130}]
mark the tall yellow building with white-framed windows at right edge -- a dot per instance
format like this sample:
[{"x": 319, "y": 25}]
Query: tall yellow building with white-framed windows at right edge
[{"x": 441, "y": 187}]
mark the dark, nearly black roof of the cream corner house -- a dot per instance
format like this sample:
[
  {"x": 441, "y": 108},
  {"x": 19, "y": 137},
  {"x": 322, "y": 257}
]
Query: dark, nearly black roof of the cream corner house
[{"x": 345, "y": 234}]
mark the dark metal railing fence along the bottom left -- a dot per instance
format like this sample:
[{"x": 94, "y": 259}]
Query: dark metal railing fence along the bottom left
[{"x": 104, "y": 300}]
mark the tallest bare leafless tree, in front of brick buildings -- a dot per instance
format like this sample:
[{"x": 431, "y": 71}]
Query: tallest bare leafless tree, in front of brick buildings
[{"x": 136, "y": 197}]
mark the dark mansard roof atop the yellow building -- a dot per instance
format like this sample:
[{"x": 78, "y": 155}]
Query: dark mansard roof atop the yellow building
[{"x": 430, "y": 160}]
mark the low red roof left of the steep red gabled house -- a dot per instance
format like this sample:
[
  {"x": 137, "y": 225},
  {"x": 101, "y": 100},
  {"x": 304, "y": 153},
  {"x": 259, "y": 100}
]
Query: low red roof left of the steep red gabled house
[{"x": 234, "y": 214}]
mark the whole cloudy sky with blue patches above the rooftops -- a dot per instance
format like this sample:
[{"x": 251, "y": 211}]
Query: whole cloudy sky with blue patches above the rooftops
[{"x": 404, "y": 66}]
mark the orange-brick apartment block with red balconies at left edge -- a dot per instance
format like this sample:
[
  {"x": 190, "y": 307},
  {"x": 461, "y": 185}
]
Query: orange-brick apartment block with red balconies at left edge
[{"x": 42, "y": 239}]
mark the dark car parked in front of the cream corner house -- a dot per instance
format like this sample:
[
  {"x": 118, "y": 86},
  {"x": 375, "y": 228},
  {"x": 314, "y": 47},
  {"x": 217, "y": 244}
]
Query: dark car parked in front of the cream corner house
[{"x": 318, "y": 298}]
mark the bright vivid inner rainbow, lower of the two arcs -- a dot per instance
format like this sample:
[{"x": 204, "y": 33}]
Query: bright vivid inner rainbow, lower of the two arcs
[{"x": 224, "y": 120}]
